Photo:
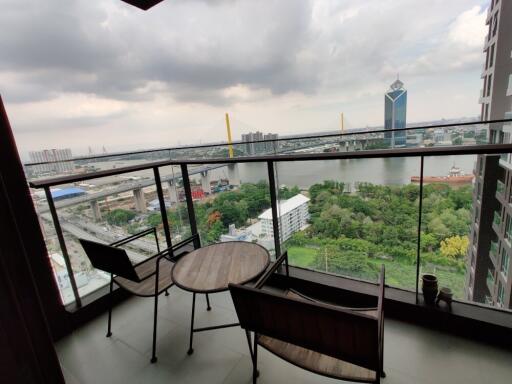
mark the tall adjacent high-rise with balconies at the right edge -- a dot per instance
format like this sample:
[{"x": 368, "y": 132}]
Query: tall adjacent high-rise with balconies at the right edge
[{"x": 489, "y": 276}]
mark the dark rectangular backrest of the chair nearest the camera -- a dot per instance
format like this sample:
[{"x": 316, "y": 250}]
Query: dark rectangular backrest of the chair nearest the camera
[{"x": 340, "y": 333}]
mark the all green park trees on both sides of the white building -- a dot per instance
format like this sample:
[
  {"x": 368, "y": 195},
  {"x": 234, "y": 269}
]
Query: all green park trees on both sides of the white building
[{"x": 352, "y": 234}]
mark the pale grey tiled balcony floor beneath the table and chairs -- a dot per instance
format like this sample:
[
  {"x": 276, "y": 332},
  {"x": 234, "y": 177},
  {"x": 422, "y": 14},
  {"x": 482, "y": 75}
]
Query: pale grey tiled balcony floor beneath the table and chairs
[{"x": 413, "y": 355}]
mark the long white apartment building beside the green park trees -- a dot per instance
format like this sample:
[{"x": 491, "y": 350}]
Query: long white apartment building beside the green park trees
[{"x": 293, "y": 215}]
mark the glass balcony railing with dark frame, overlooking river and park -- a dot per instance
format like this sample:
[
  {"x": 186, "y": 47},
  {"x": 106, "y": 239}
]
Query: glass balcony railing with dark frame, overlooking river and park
[{"x": 338, "y": 212}]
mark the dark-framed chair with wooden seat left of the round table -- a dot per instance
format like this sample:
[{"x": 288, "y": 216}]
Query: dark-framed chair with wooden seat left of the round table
[{"x": 148, "y": 278}]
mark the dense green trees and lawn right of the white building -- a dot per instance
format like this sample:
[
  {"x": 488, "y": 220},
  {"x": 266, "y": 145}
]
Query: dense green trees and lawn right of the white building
[{"x": 352, "y": 234}]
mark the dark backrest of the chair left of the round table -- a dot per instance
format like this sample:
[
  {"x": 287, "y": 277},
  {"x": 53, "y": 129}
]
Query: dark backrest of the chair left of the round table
[{"x": 110, "y": 259}]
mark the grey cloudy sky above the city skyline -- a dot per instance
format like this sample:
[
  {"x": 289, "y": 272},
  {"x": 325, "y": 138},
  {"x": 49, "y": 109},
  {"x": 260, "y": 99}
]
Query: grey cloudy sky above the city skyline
[{"x": 79, "y": 73}]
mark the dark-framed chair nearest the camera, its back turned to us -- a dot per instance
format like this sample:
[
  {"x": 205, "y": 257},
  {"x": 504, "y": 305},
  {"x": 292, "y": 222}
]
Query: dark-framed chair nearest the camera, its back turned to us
[{"x": 339, "y": 342}]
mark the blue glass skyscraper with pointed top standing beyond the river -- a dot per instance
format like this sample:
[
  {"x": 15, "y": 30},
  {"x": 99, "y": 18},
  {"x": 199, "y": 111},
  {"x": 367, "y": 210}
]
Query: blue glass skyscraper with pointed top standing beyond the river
[{"x": 395, "y": 110}]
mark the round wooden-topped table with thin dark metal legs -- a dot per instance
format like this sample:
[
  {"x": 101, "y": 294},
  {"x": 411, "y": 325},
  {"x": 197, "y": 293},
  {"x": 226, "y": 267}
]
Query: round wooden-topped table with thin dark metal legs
[{"x": 210, "y": 269}]
